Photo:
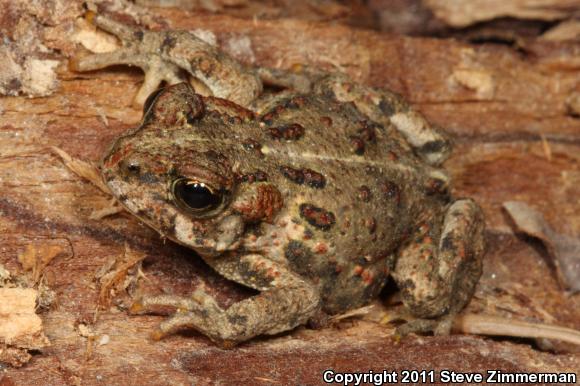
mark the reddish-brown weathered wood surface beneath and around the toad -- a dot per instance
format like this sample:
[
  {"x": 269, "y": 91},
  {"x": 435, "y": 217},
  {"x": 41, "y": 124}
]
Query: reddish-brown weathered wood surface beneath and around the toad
[{"x": 517, "y": 138}]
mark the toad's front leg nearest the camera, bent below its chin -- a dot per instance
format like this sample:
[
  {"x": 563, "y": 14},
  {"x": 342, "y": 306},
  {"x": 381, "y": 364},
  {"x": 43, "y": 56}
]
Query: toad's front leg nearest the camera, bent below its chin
[{"x": 286, "y": 301}]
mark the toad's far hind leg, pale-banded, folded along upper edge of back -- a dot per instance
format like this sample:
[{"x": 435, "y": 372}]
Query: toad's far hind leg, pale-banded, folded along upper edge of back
[{"x": 385, "y": 107}]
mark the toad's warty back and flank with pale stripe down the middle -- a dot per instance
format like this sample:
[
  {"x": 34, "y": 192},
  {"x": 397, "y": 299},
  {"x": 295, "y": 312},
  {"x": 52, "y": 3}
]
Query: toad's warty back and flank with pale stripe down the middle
[{"x": 352, "y": 189}]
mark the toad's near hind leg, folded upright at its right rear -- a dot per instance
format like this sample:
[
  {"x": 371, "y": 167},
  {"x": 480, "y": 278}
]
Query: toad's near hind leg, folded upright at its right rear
[{"x": 440, "y": 279}]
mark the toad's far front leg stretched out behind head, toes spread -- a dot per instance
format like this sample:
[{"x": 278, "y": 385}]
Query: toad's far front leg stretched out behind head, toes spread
[{"x": 165, "y": 56}]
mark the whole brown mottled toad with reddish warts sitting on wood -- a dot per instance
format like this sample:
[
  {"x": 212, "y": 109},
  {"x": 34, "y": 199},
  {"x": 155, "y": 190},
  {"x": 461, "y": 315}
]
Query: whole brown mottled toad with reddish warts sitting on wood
[{"x": 322, "y": 192}]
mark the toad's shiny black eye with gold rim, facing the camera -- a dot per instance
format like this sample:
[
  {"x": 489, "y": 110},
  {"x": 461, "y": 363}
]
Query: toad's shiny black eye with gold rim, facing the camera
[{"x": 195, "y": 196}]
